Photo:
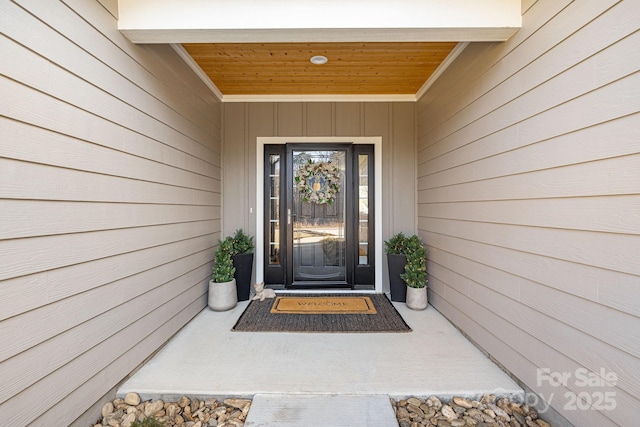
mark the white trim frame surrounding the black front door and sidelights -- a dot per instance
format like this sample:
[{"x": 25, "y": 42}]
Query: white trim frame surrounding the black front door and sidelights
[{"x": 376, "y": 141}]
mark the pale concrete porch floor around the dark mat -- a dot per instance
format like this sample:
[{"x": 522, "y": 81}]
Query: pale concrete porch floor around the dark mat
[{"x": 207, "y": 359}]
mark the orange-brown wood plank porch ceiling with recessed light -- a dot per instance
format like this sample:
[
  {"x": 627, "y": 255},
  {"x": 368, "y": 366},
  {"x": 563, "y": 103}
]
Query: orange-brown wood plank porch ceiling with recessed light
[{"x": 353, "y": 68}]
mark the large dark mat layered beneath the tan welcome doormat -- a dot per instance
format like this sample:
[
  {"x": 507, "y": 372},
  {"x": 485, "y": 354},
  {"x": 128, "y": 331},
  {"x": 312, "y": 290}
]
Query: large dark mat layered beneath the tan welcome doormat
[{"x": 258, "y": 316}]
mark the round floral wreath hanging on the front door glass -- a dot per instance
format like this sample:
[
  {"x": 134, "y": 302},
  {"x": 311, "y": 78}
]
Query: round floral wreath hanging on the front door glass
[{"x": 318, "y": 182}]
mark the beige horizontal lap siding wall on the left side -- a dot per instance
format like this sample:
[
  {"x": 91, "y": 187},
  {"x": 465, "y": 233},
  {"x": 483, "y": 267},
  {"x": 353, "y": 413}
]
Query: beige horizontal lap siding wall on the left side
[{"x": 110, "y": 205}]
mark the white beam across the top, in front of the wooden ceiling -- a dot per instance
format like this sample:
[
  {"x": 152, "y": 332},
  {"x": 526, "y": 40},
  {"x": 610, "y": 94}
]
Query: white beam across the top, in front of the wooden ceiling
[{"x": 274, "y": 21}]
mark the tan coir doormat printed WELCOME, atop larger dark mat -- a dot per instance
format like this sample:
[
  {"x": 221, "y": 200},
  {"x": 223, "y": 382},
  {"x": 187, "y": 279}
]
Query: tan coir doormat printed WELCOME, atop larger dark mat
[{"x": 323, "y": 305}]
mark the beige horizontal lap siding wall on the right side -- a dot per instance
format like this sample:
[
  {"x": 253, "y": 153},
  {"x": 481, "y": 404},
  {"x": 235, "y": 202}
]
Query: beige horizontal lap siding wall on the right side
[{"x": 529, "y": 202}]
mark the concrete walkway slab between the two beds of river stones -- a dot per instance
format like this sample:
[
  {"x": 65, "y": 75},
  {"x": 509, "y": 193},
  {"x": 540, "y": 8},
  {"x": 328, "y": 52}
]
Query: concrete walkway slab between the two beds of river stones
[{"x": 330, "y": 410}]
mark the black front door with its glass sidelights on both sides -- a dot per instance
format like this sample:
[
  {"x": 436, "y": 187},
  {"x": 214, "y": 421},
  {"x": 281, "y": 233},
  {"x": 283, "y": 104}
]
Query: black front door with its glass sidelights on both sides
[{"x": 319, "y": 216}]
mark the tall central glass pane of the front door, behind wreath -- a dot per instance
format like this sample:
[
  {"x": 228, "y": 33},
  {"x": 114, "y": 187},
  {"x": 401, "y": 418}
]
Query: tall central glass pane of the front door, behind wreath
[{"x": 318, "y": 215}]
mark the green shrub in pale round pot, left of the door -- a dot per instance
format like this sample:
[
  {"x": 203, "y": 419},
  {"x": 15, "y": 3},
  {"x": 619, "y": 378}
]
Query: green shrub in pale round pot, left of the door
[{"x": 222, "y": 286}]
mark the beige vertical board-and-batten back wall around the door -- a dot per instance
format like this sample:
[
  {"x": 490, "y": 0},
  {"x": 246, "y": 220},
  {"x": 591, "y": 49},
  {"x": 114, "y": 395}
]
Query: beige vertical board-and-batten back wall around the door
[{"x": 243, "y": 123}]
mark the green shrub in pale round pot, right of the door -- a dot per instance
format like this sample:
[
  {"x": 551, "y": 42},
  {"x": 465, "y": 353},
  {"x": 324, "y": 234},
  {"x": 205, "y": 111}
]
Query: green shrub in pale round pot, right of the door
[{"x": 415, "y": 274}]
